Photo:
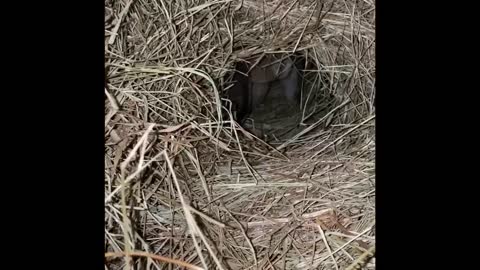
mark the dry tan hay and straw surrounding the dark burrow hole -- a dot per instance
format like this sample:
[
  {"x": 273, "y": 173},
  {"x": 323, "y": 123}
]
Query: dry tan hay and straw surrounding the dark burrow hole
[{"x": 186, "y": 190}]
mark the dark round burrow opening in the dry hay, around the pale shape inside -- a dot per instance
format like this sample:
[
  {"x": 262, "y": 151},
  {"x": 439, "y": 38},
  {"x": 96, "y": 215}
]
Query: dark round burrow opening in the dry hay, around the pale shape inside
[{"x": 275, "y": 118}]
